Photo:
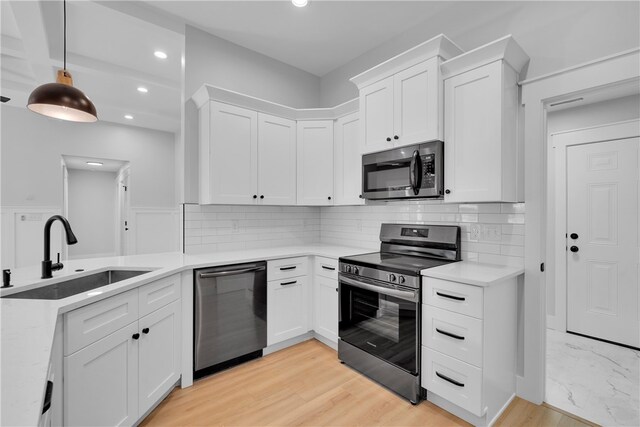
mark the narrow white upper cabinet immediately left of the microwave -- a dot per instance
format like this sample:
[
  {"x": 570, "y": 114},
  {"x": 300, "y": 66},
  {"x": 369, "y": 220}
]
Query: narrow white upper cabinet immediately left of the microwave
[{"x": 347, "y": 161}]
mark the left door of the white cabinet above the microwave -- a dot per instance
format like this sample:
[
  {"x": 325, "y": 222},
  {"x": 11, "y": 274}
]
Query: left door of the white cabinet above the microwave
[{"x": 376, "y": 112}]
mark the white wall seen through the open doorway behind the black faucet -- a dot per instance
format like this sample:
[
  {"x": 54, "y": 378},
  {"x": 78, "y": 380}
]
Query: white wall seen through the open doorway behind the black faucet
[{"x": 92, "y": 213}]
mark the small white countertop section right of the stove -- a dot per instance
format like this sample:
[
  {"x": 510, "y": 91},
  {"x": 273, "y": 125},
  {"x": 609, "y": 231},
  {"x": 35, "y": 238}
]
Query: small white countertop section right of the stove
[{"x": 473, "y": 273}]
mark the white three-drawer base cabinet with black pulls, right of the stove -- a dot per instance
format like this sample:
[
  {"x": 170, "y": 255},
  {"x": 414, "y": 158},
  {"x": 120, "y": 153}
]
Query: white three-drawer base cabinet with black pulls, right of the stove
[{"x": 469, "y": 347}]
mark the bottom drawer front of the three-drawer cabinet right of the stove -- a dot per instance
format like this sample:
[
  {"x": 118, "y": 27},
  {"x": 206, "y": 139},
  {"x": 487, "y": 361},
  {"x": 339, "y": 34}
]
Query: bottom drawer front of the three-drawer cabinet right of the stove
[{"x": 451, "y": 379}]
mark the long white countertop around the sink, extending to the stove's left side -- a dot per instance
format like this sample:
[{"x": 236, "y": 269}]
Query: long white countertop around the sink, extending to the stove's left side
[{"x": 27, "y": 326}]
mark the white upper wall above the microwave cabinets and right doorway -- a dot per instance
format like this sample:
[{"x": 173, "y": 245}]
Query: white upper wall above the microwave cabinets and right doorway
[{"x": 554, "y": 34}]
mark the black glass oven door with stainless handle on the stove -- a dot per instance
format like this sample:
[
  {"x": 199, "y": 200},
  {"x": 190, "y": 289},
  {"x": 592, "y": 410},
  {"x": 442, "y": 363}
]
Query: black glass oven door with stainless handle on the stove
[{"x": 381, "y": 319}]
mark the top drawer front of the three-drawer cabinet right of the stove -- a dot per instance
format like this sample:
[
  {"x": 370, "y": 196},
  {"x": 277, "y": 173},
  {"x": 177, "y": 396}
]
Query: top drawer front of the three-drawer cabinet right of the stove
[{"x": 453, "y": 296}]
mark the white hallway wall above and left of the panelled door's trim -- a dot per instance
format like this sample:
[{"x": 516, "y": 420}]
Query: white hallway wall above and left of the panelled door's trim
[{"x": 611, "y": 111}]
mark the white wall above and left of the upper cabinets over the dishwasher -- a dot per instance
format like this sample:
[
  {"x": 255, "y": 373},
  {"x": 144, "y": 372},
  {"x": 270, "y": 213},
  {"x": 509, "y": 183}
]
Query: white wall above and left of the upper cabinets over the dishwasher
[{"x": 210, "y": 59}]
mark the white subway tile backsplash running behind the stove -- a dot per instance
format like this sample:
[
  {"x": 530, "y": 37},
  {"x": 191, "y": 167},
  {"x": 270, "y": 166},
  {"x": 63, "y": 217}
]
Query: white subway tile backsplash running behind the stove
[{"x": 491, "y": 232}]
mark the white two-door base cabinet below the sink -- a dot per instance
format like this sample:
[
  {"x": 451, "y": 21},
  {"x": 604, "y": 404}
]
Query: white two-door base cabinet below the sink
[{"x": 117, "y": 378}]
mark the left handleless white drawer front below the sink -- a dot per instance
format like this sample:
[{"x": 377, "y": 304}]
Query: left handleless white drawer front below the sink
[{"x": 95, "y": 321}]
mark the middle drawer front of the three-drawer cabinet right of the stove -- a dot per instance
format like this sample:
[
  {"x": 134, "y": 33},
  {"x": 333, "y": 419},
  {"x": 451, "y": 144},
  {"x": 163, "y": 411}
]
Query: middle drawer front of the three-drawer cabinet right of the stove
[{"x": 453, "y": 334}]
